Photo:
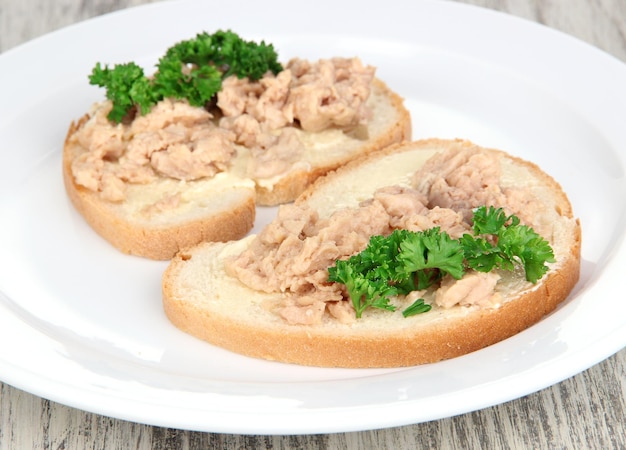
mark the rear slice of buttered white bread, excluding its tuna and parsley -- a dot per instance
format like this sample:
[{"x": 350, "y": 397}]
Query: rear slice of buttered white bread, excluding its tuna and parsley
[{"x": 223, "y": 208}]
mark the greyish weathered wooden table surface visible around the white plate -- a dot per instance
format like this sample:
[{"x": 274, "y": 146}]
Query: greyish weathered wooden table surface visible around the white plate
[{"x": 585, "y": 411}]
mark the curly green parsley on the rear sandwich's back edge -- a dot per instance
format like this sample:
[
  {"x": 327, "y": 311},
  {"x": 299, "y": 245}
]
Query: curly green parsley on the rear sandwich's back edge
[{"x": 192, "y": 69}]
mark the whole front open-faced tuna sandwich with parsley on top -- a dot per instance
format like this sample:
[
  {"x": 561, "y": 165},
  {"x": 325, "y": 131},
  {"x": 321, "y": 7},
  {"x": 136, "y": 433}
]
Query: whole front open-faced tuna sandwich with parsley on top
[{"x": 421, "y": 252}]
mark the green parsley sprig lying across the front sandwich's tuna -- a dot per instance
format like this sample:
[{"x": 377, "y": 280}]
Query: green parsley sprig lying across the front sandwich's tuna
[{"x": 407, "y": 261}]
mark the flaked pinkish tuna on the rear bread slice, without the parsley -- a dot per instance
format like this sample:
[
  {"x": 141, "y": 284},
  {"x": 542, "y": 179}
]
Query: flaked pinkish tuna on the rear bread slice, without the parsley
[{"x": 266, "y": 121}]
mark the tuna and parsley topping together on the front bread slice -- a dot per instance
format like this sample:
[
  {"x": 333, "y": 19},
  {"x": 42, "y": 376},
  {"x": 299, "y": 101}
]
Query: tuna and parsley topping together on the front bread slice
[{"x": 442, "y": 242}]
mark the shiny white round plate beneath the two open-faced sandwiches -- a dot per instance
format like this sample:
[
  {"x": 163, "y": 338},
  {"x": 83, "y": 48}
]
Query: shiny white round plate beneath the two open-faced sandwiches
[{"x": 82, "y": 324}]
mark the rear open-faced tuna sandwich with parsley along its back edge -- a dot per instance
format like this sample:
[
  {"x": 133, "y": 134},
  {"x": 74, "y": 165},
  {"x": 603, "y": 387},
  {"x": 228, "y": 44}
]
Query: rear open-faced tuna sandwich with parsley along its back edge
[{"x": 183, "y": 156}]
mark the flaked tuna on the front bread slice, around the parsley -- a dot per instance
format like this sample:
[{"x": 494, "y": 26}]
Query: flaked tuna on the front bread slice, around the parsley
[{"x": 293, "y": 253}]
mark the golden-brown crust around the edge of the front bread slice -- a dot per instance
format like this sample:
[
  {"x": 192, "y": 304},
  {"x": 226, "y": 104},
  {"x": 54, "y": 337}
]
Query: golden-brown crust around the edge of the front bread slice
[{"x": 349, "y": 347}]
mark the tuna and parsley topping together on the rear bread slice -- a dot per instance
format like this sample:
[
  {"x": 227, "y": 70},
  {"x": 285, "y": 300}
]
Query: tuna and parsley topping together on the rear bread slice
[{"x": 214, "y": 99}]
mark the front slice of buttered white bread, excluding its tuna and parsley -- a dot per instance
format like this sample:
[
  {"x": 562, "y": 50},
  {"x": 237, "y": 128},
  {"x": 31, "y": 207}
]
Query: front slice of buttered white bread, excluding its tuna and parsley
[{"x": 200, "y": 298}]
